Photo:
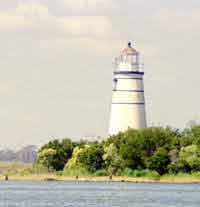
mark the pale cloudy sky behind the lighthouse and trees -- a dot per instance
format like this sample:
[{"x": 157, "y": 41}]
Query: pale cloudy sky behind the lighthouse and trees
[{"x": 56, "y": 64}]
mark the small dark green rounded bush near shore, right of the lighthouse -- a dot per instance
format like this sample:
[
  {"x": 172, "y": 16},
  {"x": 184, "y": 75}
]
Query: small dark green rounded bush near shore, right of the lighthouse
[{"x": 159, "y": 161}]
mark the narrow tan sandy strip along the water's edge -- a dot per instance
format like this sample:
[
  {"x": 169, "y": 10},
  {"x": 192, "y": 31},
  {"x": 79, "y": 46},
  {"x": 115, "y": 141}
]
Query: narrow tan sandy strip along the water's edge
[{"x": 49, "y": 178}]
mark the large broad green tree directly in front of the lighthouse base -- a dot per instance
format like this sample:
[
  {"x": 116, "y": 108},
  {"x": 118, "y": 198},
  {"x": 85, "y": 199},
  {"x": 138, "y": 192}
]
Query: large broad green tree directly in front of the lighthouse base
[{"x": 136, "y": 146}]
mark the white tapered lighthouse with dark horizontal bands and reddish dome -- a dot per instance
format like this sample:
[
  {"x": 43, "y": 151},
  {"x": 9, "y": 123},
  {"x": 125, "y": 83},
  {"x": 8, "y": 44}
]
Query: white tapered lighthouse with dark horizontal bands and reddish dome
[{"x": 128, "y": 101}]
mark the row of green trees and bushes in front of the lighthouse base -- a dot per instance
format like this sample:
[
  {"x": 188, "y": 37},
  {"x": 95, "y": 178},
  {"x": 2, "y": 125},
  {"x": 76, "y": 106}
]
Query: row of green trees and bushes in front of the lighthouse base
[{"x": 152, "y": 150}]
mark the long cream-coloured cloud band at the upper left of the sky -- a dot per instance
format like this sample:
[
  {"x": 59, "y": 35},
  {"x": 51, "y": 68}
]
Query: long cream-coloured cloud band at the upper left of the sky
[{"x": 37, "y": 18}]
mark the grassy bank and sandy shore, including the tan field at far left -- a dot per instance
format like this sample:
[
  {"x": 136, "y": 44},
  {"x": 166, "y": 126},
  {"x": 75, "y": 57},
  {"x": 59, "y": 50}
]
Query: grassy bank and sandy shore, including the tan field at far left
[{"x": 29, "y": 172}]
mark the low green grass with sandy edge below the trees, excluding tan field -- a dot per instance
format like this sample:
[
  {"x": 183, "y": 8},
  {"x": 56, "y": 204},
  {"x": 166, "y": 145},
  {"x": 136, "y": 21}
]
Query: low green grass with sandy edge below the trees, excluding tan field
[{"x": 137, "y": 176}]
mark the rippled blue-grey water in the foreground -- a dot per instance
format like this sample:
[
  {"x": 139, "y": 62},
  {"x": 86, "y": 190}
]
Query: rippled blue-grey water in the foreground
[{"x": 90, "y": 194}]
